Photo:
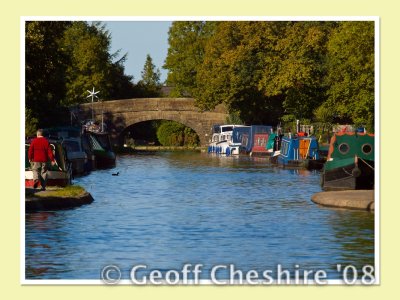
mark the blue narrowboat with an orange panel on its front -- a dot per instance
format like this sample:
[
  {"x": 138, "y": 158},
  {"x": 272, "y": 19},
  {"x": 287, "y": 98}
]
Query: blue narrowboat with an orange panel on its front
[{"x": 300, "y": 152}]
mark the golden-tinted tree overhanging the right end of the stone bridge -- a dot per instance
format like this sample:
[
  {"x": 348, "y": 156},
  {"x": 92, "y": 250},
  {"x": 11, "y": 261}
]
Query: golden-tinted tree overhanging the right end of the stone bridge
[{"x": 232, "y": 69}]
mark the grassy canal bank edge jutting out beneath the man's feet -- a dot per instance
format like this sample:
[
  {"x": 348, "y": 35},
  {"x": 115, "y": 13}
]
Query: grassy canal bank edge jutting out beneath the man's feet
[{"x": 45, "y": 200}]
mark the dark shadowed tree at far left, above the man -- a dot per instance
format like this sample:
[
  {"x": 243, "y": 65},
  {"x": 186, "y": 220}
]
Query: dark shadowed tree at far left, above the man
[{"x": 45, "y": 66}]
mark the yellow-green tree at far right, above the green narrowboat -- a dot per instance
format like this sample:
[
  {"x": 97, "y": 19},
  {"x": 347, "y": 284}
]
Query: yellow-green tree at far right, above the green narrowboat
[{"x": 350, "y": 76}]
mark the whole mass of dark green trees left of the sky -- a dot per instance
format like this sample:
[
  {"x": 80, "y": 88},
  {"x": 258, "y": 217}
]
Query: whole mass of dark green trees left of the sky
[{"x": 63, "y": 60}]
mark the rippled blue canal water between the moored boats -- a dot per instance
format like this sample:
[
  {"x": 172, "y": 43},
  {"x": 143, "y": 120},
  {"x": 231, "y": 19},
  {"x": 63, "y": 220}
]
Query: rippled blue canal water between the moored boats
[{"x": 166, "y": 210}]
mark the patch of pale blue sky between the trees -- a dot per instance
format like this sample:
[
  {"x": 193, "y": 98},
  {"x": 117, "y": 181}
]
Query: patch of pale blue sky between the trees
[{"x": 139, "y": 38}]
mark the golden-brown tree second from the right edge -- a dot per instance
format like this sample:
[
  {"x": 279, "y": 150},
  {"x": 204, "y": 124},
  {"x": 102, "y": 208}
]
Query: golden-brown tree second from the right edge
[{"x": 295, "y": 68}]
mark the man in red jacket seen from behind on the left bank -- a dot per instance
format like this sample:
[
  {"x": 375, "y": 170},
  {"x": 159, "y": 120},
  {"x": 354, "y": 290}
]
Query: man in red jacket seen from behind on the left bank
[{"x": 39, "y": 154}]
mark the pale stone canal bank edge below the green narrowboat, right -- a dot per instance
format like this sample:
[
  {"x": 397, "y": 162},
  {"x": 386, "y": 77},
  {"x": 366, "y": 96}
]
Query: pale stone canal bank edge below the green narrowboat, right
[{"x": 349, "y": 199}]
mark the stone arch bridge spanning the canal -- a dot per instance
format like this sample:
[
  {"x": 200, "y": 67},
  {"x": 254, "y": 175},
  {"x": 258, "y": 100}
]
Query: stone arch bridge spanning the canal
[{"x": 120, "y": 114}]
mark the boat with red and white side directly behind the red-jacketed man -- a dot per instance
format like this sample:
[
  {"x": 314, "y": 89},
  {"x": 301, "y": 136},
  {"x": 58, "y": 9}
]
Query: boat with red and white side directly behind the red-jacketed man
[{"x": 58, "y": 175}]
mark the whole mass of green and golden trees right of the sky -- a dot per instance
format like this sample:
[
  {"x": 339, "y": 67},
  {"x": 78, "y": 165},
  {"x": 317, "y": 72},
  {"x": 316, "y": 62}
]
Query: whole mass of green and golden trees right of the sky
[{"x": 268, "y": 72}]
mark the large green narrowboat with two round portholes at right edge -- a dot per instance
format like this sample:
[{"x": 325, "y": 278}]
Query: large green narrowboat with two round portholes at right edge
[{"x": 350, "y": 163}]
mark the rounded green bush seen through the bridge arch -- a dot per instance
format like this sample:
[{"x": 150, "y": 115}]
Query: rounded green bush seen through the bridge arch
[{"x": 171, "y": 133}]
